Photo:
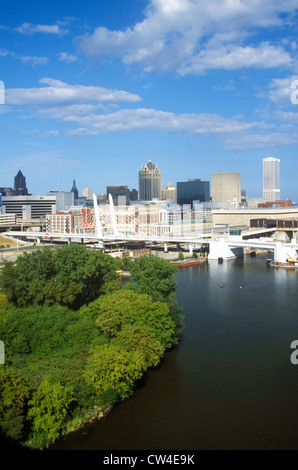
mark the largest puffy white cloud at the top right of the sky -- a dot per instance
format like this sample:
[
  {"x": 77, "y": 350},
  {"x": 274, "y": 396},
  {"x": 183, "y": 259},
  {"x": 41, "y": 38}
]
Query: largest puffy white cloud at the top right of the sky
[{"x": 178, "y": 34}]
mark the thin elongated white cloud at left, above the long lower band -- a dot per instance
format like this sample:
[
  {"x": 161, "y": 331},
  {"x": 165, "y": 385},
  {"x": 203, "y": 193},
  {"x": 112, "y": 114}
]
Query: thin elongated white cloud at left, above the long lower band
[{"x": 60, "y": 93}]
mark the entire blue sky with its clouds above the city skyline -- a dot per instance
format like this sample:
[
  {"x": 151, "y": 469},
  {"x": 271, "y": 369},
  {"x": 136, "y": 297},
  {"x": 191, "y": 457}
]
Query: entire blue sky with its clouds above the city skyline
[{"x": 94, "y": 89}]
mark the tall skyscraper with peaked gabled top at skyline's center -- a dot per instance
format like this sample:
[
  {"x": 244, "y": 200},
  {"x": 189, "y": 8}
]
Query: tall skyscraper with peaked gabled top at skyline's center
[{"x": 149, "y": 182}]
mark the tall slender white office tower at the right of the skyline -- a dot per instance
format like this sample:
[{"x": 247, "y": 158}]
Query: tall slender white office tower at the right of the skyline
[{"x": 271, "y": 179}]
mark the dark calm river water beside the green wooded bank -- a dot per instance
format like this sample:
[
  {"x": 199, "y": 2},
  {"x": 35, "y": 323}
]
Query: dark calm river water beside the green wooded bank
[{"x": 230, "y": 383}]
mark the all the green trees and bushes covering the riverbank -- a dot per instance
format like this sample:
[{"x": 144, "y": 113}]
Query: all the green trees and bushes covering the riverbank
[{"x": 77, "y": 339}]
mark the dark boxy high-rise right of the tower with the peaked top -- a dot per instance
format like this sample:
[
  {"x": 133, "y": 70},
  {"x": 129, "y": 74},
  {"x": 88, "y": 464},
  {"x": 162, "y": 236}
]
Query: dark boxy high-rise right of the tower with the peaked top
[{"x": 193, "y": 190}]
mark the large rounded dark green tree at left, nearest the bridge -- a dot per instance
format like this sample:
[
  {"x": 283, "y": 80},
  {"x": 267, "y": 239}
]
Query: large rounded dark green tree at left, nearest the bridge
[{"x": 71, "y": 275}]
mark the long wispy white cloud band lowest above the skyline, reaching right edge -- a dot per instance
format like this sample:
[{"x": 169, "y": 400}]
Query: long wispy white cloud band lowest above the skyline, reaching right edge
[{"x": 232, "y": 133}]
